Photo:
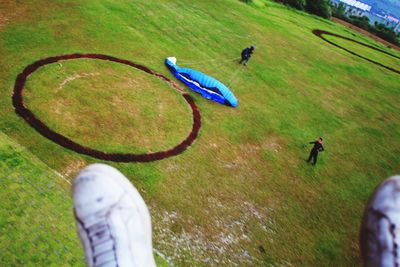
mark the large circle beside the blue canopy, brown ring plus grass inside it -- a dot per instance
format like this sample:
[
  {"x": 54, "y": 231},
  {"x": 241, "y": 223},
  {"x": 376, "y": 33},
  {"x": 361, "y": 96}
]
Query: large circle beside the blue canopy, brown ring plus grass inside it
[{"x": 90, "y": 109}]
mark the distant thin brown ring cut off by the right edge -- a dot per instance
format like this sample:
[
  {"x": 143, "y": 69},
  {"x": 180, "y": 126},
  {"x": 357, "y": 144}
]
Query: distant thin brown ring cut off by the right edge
[{"x": 320, "y": 34}]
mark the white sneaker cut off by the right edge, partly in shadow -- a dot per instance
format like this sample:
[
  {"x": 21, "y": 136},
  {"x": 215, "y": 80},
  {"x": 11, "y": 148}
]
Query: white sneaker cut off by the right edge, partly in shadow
[{"x": 380, "y": 229}]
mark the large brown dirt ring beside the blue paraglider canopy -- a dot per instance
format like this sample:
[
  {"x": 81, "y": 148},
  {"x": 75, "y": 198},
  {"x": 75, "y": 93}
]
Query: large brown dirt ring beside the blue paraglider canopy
[{"x": 44, "y": 130}]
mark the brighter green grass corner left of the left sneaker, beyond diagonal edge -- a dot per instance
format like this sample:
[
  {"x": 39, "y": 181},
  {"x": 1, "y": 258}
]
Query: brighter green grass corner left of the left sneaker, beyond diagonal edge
[{"x": 37, "y": 225}]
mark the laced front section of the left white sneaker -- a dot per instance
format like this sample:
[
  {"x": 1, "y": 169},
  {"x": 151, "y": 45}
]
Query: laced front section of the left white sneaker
[{"x": 102, "y": 243}]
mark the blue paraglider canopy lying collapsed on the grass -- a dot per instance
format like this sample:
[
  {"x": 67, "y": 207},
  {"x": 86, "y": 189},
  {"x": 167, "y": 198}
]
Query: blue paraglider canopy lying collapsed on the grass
[{"x": 203, "y": 84}]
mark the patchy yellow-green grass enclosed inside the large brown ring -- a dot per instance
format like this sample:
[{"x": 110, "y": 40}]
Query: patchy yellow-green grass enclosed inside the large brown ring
[{"x": 75, "y": 97}]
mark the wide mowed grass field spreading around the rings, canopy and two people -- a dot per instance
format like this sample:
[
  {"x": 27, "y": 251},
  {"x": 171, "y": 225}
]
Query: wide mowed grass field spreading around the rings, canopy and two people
[{"x": 242, "y": 194}]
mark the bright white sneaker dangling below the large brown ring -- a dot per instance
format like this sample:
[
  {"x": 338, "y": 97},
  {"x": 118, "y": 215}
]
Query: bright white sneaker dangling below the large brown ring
[{"x": 112, "y": 219}]
